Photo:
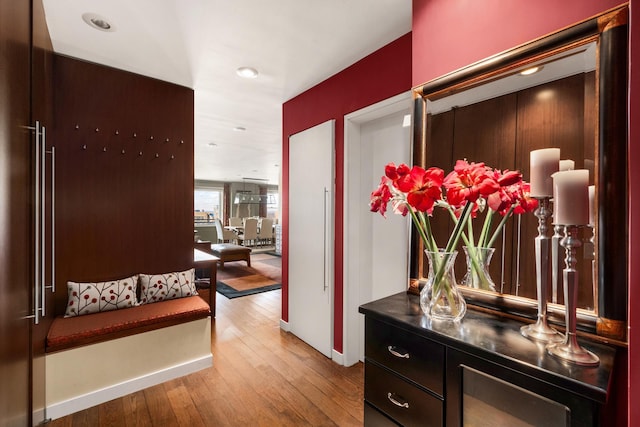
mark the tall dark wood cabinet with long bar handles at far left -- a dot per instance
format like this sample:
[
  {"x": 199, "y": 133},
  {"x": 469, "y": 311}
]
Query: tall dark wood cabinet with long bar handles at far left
[{"x": 26, "y": 92}]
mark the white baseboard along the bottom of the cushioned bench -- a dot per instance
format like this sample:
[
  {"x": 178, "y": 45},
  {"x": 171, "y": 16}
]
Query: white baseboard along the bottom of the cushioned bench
[{"x": 97, "y": 397}]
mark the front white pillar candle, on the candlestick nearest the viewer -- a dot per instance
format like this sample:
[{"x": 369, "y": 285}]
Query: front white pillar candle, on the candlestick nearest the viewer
[{"x": 571, "y": 197}]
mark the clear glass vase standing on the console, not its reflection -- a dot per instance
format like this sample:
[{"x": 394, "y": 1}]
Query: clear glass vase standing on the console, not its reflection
[{"x": 441, "y": 299}]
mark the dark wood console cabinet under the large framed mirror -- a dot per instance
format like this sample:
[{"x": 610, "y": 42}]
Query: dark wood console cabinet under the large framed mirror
[{"x": 478, "y": 372}]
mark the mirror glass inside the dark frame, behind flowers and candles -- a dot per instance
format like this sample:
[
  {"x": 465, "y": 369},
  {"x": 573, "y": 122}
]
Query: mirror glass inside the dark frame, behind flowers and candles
[{"x": 499, "y": 119}]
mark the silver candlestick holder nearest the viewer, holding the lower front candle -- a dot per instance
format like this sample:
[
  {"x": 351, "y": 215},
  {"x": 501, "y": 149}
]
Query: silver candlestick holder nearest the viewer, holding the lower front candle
[{"x": 570, "y": 350}]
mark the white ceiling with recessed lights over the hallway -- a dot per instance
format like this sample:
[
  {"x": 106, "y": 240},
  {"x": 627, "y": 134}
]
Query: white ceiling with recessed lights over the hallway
[{"x": 294, "y": 44}]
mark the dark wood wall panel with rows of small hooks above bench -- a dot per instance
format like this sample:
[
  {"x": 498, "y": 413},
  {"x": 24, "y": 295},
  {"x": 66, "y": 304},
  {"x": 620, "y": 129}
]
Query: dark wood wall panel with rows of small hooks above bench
[{"x": 124, "y": 174}]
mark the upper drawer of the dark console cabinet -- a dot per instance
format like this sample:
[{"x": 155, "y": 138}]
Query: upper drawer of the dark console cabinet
[{"x": 419, "y": 359}]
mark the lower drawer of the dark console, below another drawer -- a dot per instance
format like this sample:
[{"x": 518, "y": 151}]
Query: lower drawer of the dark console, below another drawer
[{"x": 400, "y": 400}]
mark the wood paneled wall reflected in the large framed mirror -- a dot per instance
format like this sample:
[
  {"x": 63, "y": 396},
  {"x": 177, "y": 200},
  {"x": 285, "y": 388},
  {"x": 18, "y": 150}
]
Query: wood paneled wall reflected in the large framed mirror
[{"x": 501, "y": 132}]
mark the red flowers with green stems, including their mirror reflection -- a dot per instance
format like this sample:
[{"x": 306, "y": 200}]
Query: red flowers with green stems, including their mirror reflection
[{"x": 466, "y": 191}]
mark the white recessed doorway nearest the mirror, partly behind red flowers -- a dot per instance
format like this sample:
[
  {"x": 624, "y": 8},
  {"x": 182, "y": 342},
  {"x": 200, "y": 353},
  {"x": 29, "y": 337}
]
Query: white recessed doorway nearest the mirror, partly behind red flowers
[{"x": 376, "y": 249}]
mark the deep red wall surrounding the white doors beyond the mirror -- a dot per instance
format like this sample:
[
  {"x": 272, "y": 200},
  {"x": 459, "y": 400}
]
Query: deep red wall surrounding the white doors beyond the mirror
[{"x": 381, "y": 75}]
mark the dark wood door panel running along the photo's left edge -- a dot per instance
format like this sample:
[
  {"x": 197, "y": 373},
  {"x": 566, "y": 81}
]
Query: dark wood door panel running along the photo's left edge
[{"x": 15, "y": 213}]
